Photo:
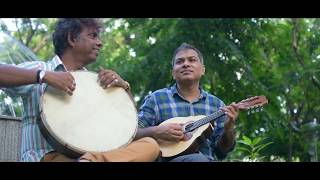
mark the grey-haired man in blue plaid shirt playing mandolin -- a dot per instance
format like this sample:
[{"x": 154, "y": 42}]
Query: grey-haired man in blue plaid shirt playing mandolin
[{"x": 186, "y": 98}]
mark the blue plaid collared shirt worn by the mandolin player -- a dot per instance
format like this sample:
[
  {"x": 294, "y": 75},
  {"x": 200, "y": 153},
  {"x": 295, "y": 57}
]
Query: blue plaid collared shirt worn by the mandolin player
[{"x": 167, "y": 103}]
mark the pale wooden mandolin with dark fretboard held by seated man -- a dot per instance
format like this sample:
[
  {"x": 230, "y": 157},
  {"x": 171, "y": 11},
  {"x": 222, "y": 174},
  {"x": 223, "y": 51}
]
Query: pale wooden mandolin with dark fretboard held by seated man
[{"x": 197, "y": 128}]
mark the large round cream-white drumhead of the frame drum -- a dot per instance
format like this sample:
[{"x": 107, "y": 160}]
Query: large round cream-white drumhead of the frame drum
[{"x": 93, "y": 118}]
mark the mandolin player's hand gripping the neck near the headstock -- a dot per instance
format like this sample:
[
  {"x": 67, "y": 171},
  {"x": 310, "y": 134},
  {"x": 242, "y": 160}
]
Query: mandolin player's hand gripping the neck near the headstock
[{"x": 232, "y": 112}]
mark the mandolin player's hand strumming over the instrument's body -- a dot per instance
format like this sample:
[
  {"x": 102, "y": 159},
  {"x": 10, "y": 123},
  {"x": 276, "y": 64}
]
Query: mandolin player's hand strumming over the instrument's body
[{"x": 169, "y": 133}]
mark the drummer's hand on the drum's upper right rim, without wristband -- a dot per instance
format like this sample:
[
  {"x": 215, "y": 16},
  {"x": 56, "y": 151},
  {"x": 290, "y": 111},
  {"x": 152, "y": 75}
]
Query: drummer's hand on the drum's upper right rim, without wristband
[{"x": 109, "y": 78}]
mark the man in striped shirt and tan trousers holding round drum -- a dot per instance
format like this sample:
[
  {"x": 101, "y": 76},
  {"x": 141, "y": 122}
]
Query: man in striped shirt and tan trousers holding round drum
[{"x": 76, "y": 44}]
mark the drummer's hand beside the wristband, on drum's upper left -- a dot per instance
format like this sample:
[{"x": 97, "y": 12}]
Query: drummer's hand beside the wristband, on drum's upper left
[{"x": 61, "y": 80}]
